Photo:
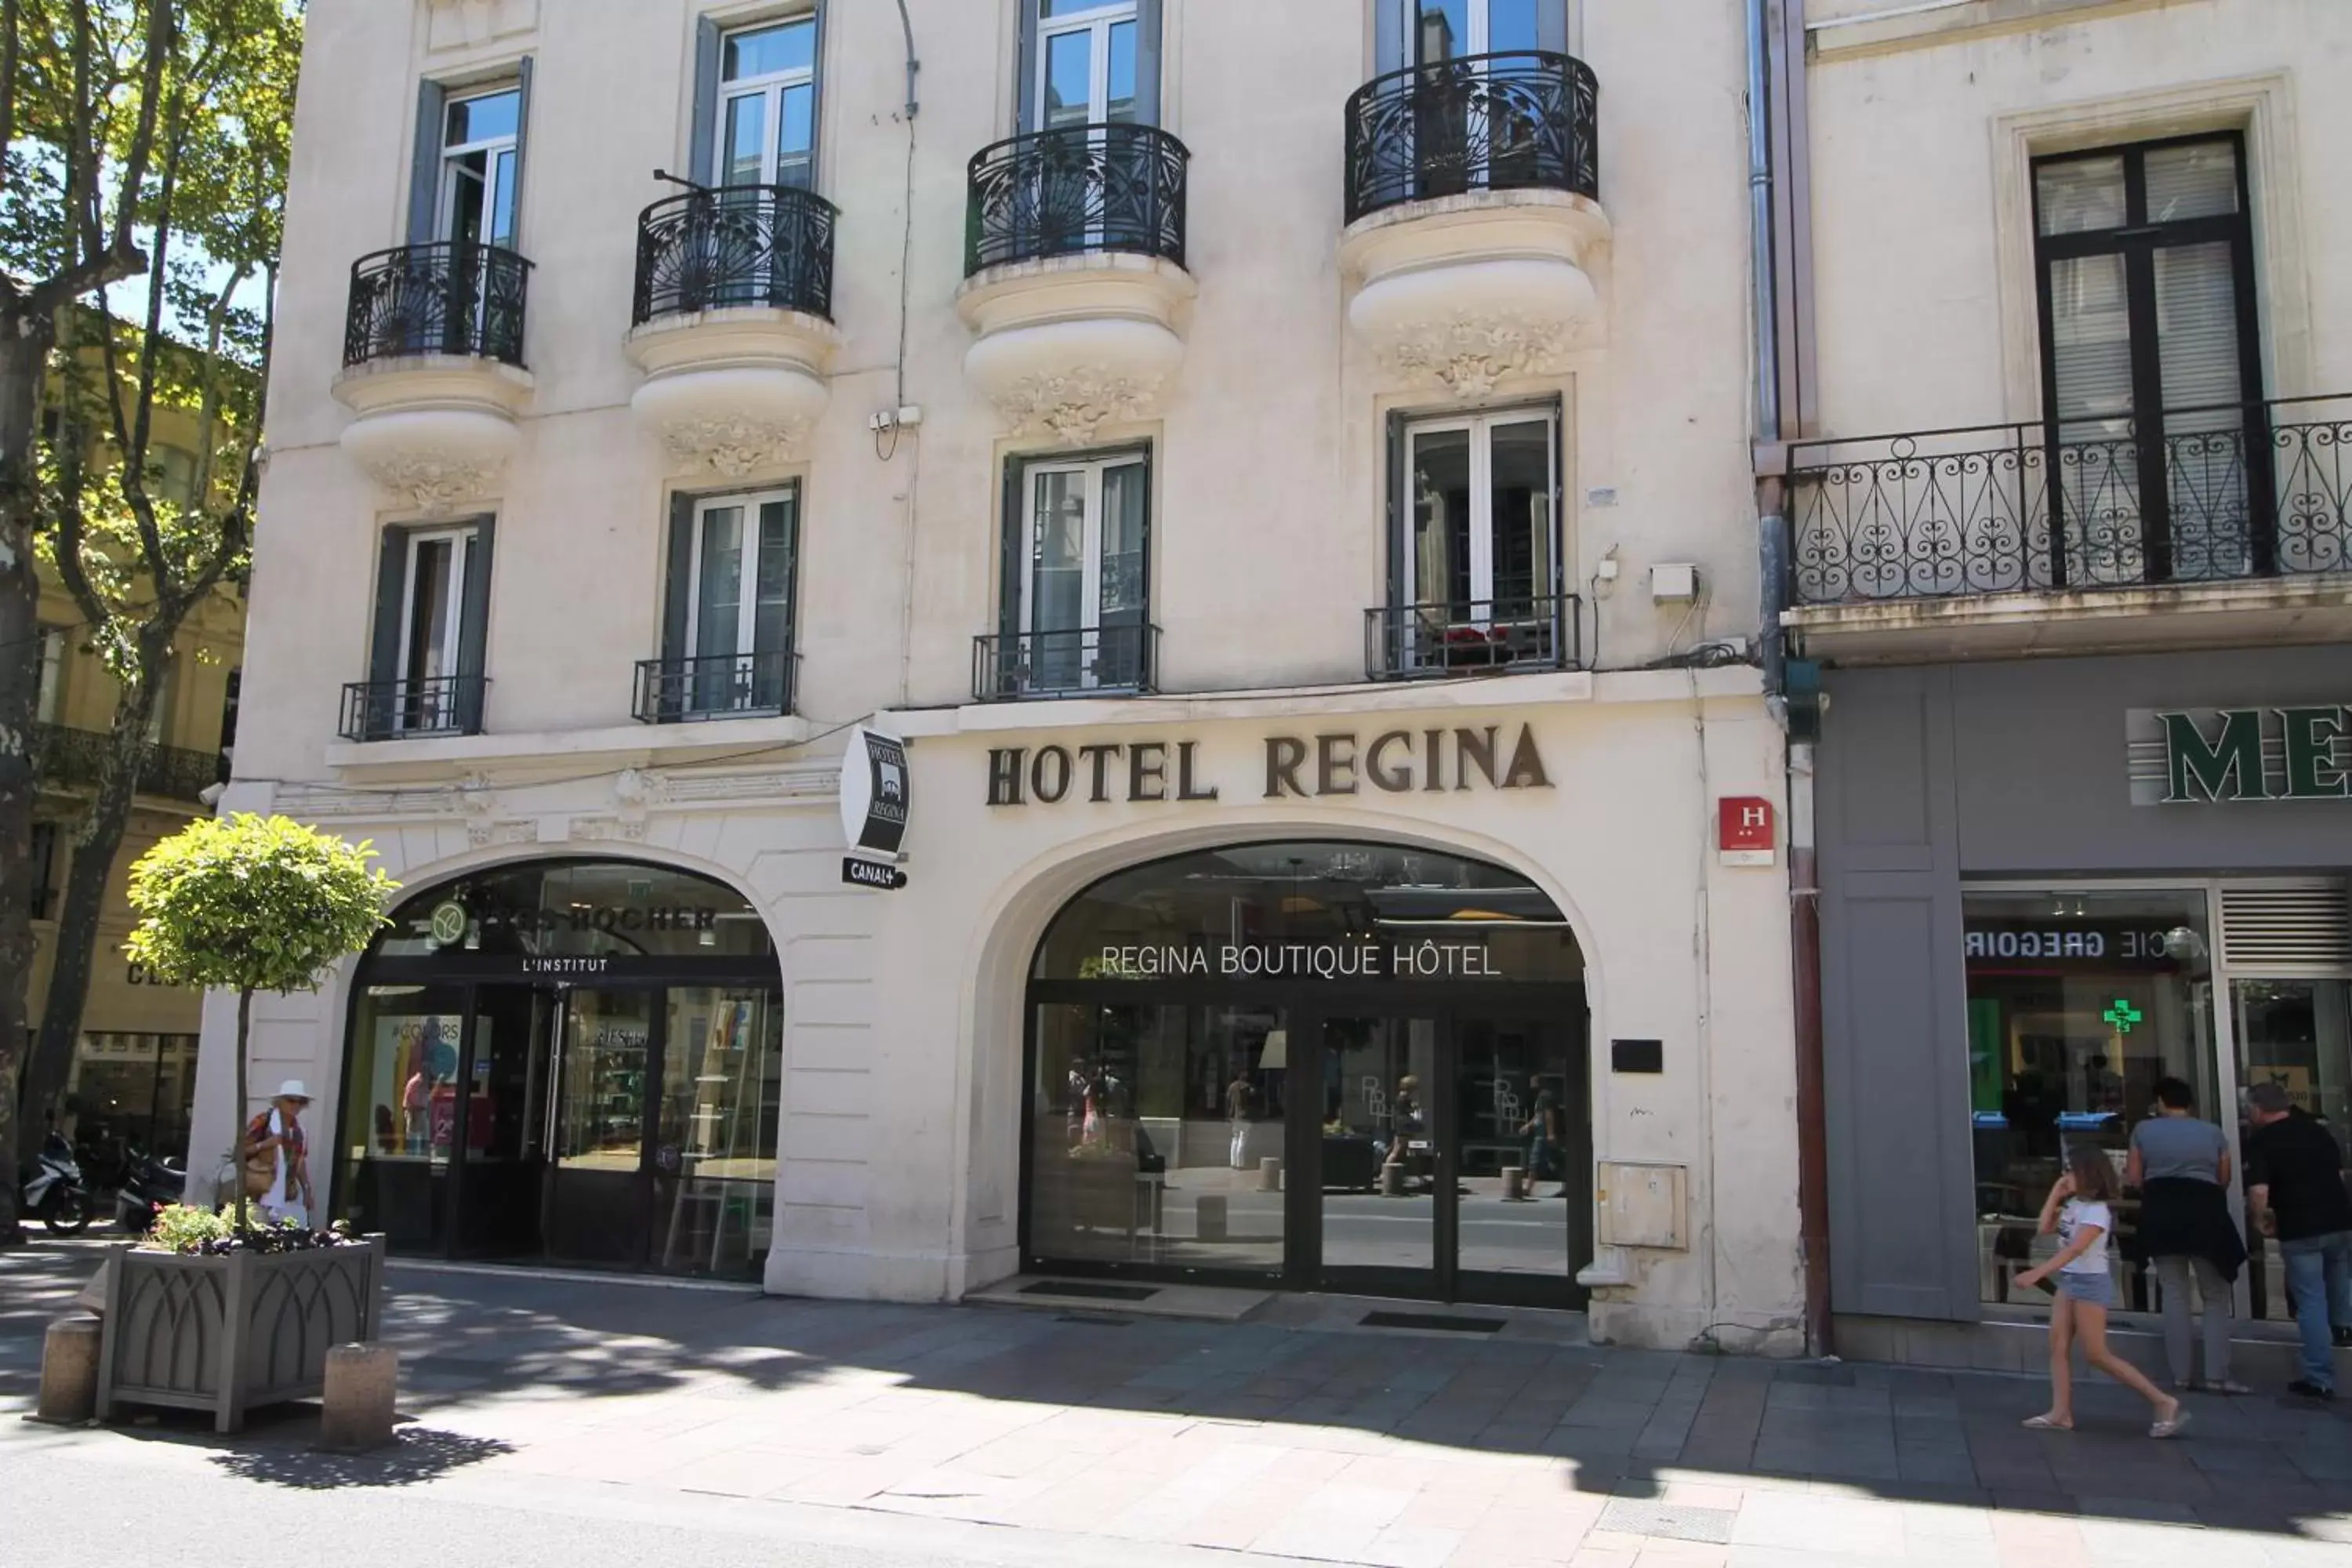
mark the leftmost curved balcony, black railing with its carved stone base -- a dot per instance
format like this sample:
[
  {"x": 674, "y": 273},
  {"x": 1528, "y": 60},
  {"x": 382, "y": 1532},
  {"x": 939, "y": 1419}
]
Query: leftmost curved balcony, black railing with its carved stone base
[{"x": 434, "y": 370}]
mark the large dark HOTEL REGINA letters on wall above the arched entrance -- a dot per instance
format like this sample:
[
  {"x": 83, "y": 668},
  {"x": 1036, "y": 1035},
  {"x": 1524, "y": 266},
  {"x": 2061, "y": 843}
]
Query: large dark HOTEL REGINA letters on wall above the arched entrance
[{"x": 1391, "y": 763}]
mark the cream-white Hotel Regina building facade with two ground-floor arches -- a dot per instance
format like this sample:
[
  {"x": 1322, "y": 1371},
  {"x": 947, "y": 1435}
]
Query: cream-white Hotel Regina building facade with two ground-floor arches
[{"x": 1283, "y": 478}]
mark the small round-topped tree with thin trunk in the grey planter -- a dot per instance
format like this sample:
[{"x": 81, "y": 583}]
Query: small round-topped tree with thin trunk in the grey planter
[{"x": 253, "y": 904}]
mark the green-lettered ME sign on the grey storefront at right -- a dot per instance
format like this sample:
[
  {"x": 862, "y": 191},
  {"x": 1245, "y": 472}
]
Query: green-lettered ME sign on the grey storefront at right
[{"x": 2198, "y": 756}]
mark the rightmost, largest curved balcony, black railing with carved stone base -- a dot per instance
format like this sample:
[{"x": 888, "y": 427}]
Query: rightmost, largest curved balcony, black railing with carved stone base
[{"x": 1474, "y": 215}]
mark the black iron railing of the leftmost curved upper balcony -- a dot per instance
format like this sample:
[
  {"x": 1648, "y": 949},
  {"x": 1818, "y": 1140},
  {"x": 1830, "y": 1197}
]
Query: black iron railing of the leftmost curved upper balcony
[{"x": 436, "y": 300}]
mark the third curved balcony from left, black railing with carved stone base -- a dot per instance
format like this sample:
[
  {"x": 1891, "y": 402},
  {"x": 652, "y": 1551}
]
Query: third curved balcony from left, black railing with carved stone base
[{"x": 1076, "y": 279}]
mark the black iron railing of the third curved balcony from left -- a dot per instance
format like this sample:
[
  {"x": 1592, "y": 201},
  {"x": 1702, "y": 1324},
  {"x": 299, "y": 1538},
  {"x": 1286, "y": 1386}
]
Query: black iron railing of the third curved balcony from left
[{"x": 1074, "y": 192}]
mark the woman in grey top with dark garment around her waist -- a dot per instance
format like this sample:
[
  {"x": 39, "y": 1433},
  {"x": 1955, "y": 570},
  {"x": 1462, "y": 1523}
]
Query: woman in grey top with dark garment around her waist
[{"x": 2181, "y": 1167}]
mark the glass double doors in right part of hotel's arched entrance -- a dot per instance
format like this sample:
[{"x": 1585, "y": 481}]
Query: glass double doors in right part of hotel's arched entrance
[{"x": 1455, "y": 1158}]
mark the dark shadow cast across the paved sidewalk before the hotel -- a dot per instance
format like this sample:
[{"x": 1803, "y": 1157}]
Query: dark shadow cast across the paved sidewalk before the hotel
[{"x": 1624, "y": 1423}]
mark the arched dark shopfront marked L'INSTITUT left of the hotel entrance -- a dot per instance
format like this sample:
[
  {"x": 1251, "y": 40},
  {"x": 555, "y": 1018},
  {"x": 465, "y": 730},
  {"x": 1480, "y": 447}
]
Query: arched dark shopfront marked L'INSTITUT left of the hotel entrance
[{"x": 573, "y": 1061}]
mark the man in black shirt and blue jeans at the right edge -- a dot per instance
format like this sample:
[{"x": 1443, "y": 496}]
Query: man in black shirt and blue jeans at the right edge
[{"x": 2297, "y": 1193}]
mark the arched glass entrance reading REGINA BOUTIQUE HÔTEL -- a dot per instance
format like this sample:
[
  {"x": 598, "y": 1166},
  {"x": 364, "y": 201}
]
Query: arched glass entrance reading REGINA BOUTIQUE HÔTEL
[{"x": 1311, "y": 1064}]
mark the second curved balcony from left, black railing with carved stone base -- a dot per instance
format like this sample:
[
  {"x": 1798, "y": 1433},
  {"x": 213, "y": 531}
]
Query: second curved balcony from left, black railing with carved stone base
[{"x": 733, "y": 326}]
